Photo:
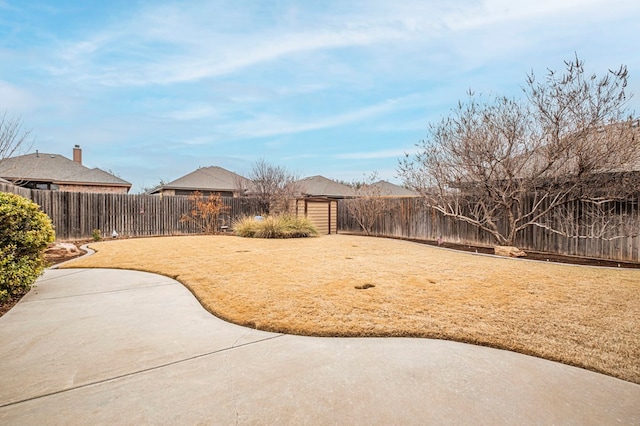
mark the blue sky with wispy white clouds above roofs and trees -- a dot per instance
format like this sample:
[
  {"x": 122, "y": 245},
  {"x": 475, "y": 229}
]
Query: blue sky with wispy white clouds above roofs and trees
[{"x": 155, "y": 89}]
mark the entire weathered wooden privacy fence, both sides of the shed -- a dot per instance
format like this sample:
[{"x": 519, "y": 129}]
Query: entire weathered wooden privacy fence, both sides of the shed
[{"x": 75, "y": 215}]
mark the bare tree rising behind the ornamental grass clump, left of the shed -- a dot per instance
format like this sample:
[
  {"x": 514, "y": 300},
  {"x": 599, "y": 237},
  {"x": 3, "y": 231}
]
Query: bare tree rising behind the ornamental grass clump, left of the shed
[{"x": 272, "y": 186}]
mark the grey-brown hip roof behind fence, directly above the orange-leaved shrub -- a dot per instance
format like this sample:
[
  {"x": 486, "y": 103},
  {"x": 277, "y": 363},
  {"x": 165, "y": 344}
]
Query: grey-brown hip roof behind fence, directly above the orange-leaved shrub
[{"x": 212, "y": 178}]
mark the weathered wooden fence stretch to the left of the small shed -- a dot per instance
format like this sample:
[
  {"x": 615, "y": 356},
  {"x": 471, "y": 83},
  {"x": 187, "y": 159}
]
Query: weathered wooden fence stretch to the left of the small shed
[{"x": 76, "y": 215}]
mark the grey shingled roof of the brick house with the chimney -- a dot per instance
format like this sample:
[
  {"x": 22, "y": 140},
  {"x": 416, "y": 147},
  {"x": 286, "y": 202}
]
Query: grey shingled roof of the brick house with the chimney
[{"x": 56, "y": 169}]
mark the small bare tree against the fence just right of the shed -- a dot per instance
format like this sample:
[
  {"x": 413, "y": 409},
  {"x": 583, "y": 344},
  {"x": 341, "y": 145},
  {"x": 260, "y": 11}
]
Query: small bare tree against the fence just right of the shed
[{"x": 367, "y": 204}]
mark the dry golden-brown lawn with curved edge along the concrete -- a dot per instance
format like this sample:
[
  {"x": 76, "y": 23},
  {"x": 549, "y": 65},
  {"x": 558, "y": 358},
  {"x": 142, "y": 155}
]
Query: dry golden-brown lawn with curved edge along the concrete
[{"x": 583, "y": 316}]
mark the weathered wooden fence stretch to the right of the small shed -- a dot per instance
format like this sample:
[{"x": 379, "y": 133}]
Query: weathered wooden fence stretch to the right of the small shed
[{"x": 410, "y": 218}]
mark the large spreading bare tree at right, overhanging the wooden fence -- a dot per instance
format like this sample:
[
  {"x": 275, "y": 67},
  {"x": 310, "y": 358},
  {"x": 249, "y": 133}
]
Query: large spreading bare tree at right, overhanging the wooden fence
[{"x": 504, "y": 165}]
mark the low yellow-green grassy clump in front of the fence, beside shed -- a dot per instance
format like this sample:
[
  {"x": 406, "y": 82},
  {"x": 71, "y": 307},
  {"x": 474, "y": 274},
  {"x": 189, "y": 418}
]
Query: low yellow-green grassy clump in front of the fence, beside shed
[{"x": 283, "y": 226}]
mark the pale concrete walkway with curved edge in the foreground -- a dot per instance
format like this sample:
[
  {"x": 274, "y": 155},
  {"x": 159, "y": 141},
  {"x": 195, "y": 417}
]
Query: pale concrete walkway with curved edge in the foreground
[{"x": 122, "y": 347}]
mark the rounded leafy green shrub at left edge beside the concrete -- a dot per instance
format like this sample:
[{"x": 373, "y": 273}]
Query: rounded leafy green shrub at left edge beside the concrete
[{"x": 25, "y": 232}]
